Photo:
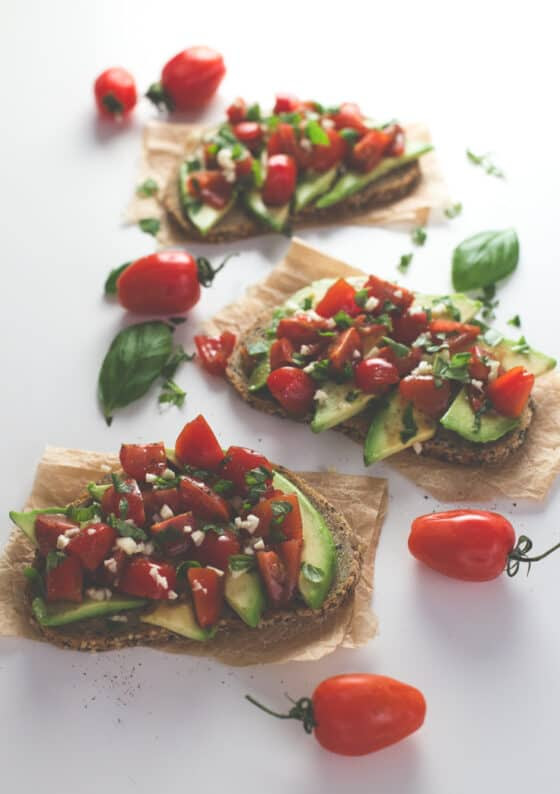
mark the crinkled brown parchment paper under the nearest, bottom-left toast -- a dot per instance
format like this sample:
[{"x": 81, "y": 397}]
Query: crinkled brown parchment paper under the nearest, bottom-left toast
[{"x": 62, "y": 475}]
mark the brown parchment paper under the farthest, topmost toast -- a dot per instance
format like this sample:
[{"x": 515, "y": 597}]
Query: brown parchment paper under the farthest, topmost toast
[{"x": 165, "y": 145}]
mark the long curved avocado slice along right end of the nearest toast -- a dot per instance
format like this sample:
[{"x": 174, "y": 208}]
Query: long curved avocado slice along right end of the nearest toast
[{"x": 319, "y": 553}]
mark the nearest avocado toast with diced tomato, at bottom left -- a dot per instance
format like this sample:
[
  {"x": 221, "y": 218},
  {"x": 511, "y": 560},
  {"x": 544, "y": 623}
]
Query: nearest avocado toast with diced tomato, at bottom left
[{"x": 191, "y": 544}]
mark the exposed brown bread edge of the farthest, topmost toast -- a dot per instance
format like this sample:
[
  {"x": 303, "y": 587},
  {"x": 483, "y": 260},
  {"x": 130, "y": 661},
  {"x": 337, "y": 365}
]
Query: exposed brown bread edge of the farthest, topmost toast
[{"x": 238, "y": 224}]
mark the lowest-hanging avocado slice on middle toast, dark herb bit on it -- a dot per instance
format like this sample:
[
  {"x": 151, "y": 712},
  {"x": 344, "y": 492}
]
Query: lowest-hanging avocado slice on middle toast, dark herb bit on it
[{"x": 384, "y": 434}]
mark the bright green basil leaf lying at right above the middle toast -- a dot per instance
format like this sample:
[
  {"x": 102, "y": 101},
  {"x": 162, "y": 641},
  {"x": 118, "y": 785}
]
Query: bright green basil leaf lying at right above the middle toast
[{"x": 485, "y": 258}]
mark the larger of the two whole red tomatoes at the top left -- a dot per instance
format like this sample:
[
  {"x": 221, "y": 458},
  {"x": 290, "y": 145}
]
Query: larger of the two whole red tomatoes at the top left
[{"x": 189, "y": 80}]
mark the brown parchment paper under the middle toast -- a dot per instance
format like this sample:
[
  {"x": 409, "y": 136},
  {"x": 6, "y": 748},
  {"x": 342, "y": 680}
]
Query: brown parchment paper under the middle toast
[{"x": 527, "y": 474}]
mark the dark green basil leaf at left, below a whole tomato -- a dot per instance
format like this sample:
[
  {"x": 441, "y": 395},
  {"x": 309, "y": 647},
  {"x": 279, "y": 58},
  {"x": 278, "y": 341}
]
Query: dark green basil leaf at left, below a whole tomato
[{"x": 135, "y": 359}]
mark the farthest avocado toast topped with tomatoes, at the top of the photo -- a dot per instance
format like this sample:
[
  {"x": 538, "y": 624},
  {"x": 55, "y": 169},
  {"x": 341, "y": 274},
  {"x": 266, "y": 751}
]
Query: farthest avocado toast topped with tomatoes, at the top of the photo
[{"x": 300, "y": 164}]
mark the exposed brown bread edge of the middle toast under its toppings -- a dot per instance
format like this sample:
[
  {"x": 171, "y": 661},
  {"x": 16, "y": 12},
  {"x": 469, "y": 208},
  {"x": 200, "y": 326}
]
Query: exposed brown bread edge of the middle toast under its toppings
[{"x": 445, "y": 445}]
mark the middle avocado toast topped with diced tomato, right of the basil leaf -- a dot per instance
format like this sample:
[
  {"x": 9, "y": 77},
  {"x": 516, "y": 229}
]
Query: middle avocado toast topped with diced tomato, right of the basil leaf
[{"x": 392, "y": 369}]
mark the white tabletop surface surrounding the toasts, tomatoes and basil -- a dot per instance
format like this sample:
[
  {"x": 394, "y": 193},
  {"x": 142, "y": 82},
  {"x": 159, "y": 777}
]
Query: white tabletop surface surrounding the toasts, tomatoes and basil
[{"x": 486, "y": 656}]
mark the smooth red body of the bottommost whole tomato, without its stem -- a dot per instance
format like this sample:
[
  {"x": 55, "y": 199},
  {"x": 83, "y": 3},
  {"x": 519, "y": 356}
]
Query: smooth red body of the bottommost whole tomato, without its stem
[{"x": 360, "y": 713}]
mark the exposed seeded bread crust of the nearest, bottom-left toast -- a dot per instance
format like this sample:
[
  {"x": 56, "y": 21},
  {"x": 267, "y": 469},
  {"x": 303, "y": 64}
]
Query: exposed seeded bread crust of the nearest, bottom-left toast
[{"x": 277, "y": 627}]
